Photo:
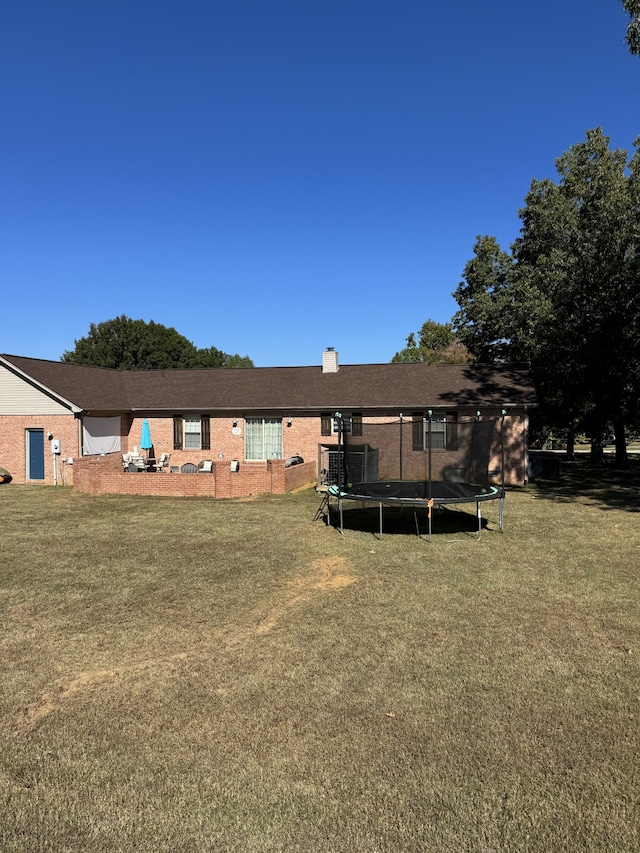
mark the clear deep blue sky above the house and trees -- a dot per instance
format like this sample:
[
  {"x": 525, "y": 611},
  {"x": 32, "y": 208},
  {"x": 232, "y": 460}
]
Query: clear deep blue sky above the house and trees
[{"x": 272, "y": 178}]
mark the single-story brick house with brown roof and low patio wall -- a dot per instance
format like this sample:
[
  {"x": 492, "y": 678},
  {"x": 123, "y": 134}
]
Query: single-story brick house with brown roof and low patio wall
[{"x": 66, "y": 423}]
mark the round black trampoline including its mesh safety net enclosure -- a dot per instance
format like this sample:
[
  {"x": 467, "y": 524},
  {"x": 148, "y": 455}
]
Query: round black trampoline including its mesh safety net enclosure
[{"x": 445, "y": 461}]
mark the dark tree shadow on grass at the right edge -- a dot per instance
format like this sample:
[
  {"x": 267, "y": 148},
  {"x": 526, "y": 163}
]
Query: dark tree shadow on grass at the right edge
[{"x": 611, "y": 487}]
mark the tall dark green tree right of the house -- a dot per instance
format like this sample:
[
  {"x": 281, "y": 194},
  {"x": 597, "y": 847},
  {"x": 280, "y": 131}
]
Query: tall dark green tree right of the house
[{"x": 567, "y": 297}]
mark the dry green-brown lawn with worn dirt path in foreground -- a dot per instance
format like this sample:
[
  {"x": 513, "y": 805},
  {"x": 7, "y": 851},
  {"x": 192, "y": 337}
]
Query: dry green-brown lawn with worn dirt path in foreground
[{"x": 193, "y": 675}]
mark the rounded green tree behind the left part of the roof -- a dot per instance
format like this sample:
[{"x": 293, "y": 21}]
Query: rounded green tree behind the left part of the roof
[{"x": 126, "y": 344}]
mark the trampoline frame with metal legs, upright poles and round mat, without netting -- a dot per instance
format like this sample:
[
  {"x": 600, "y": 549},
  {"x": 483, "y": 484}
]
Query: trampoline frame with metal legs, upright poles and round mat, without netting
[{"x": 437, "y": 493}]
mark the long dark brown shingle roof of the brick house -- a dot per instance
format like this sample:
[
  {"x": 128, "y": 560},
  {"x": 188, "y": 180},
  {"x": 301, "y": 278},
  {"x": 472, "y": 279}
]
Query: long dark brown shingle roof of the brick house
[{"x": 286, "y": 389}]
